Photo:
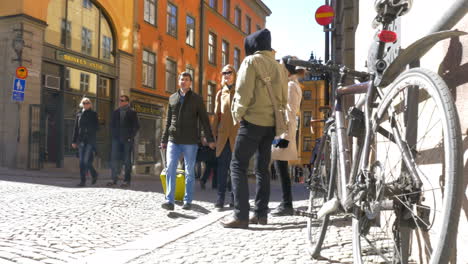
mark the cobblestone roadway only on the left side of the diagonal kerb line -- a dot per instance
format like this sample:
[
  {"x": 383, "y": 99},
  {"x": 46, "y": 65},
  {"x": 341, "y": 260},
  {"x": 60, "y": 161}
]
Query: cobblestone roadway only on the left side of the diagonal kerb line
[{"x": 48, "y": 220}]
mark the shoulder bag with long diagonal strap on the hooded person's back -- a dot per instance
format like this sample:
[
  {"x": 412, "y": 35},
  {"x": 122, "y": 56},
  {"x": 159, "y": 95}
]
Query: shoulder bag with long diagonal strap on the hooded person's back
[{"x": 280, "y": 113}]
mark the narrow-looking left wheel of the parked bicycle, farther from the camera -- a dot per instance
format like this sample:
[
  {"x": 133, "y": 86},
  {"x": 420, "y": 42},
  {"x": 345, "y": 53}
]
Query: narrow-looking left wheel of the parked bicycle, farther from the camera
[{"x": 322, "y": 186}]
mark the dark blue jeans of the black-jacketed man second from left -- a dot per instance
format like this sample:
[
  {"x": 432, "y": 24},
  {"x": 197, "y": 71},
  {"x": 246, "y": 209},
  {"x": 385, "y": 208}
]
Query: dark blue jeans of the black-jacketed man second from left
[{"x": 121, "y": 153}]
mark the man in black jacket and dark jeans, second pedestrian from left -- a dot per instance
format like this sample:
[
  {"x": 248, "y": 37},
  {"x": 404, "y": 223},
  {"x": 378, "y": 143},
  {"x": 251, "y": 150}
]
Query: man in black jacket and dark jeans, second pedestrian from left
[{"x": 124, "y": 126}]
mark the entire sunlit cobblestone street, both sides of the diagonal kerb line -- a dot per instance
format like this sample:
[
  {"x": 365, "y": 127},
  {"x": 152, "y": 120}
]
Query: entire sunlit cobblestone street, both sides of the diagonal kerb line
[{"x": 47, "y": 220}]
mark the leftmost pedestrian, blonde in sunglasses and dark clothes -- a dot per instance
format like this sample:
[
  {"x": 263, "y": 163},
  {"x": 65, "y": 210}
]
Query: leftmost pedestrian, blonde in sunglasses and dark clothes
[{"x": 84, "y": 138}]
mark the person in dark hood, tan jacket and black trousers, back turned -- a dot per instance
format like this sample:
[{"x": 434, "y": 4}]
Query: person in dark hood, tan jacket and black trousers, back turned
[{"x": 253, "y": 109}]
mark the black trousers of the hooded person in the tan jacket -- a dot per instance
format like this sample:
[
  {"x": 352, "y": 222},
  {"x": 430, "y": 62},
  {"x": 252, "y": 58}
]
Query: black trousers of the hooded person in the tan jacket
[{"x": 251, "y": 139}]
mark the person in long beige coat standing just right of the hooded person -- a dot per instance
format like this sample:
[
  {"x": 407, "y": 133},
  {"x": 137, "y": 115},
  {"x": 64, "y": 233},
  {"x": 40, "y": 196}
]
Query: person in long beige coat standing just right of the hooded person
[{"x": 281, "y": 156}]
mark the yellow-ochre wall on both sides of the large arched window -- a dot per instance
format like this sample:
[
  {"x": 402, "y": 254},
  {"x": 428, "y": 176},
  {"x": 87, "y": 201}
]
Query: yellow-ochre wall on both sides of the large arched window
[{"x": 120, "y": 13}]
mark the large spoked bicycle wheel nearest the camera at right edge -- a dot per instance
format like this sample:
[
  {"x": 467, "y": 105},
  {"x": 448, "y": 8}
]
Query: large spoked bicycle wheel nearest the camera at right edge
[{"x": 401, "y": 220}]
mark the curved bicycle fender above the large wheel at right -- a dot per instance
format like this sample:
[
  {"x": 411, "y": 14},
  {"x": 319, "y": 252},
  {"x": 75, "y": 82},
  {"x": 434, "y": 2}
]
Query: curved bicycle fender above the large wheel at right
[{"x": 415, "y": 51}]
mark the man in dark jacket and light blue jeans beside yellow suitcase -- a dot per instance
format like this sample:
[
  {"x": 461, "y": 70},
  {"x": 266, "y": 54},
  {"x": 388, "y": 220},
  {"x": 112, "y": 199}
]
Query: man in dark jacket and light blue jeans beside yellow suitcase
[{"x": 181, "y": 136}]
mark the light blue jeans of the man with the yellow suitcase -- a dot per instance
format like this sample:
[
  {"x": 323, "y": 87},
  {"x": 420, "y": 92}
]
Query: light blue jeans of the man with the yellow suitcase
[{"x": 190, "y": 157}]
